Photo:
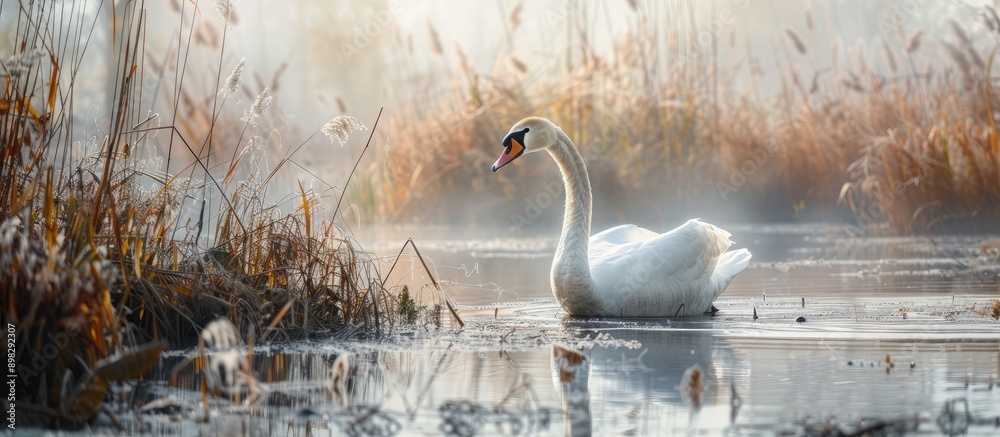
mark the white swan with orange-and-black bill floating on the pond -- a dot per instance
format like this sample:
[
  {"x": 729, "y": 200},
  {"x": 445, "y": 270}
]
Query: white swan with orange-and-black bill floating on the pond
[{"x": 625, "y": 271}]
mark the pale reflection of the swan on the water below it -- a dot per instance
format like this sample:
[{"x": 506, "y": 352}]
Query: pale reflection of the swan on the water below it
[{"x": 612, "y": 390}]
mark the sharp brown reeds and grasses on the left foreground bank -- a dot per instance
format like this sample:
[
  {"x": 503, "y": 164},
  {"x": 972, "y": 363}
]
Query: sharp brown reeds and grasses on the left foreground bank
[{"x": 103, "y": 254}]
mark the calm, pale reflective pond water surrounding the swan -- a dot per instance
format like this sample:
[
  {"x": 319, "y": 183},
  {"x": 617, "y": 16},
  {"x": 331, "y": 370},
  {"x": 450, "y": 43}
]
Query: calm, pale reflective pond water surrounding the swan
[{"x": 895, "y": 337}]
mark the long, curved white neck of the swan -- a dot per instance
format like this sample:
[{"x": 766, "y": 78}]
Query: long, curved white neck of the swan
[{"x": 571, "y": 280}]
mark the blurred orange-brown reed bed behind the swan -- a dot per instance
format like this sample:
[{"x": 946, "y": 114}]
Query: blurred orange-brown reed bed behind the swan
[{"x": 909, "y": 147}]
